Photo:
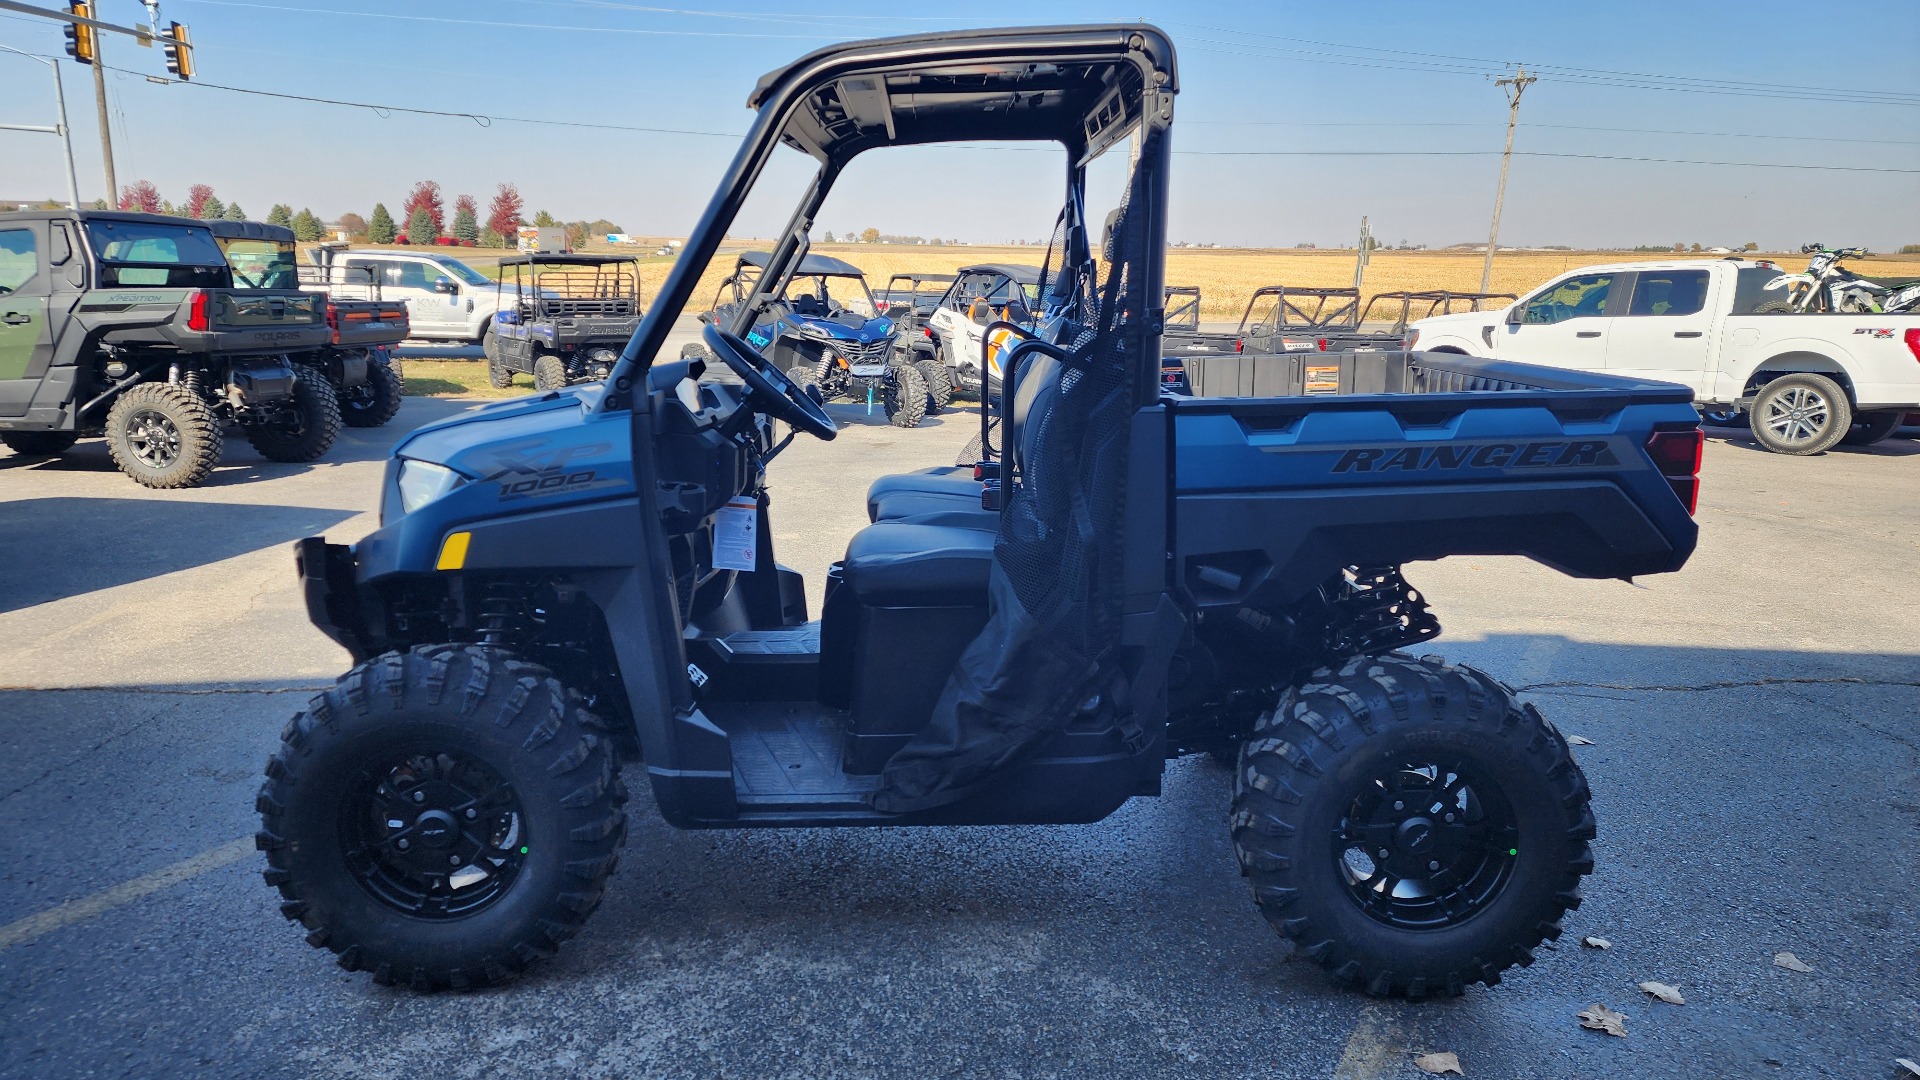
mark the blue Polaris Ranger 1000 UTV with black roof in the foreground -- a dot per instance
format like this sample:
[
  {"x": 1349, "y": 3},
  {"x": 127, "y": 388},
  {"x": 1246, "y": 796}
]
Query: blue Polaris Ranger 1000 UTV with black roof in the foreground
[{"x": 583, "y": 583}]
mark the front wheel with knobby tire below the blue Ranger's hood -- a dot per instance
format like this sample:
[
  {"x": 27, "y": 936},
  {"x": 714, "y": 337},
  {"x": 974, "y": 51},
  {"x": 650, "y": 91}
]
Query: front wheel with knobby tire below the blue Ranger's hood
[{"x": 443, "y": 818}]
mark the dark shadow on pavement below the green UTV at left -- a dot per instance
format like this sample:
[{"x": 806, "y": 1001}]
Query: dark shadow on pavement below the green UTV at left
[{"x": 70, "y": 547}]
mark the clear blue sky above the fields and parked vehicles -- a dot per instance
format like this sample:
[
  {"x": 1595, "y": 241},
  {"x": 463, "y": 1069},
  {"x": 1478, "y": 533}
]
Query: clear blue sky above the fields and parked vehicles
[{"x": 1383, "y": 80}]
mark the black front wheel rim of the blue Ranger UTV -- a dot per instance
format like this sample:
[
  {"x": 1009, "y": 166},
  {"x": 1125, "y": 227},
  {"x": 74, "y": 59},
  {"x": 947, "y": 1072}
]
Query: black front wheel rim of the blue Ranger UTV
[{"x": 433, "y": 835}]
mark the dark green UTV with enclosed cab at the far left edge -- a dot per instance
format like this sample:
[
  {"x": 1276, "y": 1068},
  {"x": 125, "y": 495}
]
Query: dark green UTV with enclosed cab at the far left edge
[{"x": 130, "y": 326}]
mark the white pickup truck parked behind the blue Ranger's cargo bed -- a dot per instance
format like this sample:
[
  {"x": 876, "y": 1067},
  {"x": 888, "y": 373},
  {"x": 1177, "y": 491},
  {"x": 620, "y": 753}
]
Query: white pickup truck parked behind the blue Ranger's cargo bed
[{"x": 1806, "y": 381}]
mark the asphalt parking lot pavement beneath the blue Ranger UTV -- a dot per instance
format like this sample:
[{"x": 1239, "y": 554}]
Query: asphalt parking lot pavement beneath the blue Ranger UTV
[{"x": 1754, "y": 760}]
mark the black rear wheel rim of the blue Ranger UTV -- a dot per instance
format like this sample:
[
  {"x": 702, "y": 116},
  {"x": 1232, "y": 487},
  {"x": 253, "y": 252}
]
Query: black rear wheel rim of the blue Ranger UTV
[{"x": 1426, "y": 843}]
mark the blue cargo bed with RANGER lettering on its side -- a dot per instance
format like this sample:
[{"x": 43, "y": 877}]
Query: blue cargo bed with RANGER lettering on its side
[{"x": 1397, "y": 458}]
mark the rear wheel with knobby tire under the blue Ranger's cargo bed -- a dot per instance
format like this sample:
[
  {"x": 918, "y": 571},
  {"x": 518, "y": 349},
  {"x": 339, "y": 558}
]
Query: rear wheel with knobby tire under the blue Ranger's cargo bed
[{"x": 1410, "y": 825}]
